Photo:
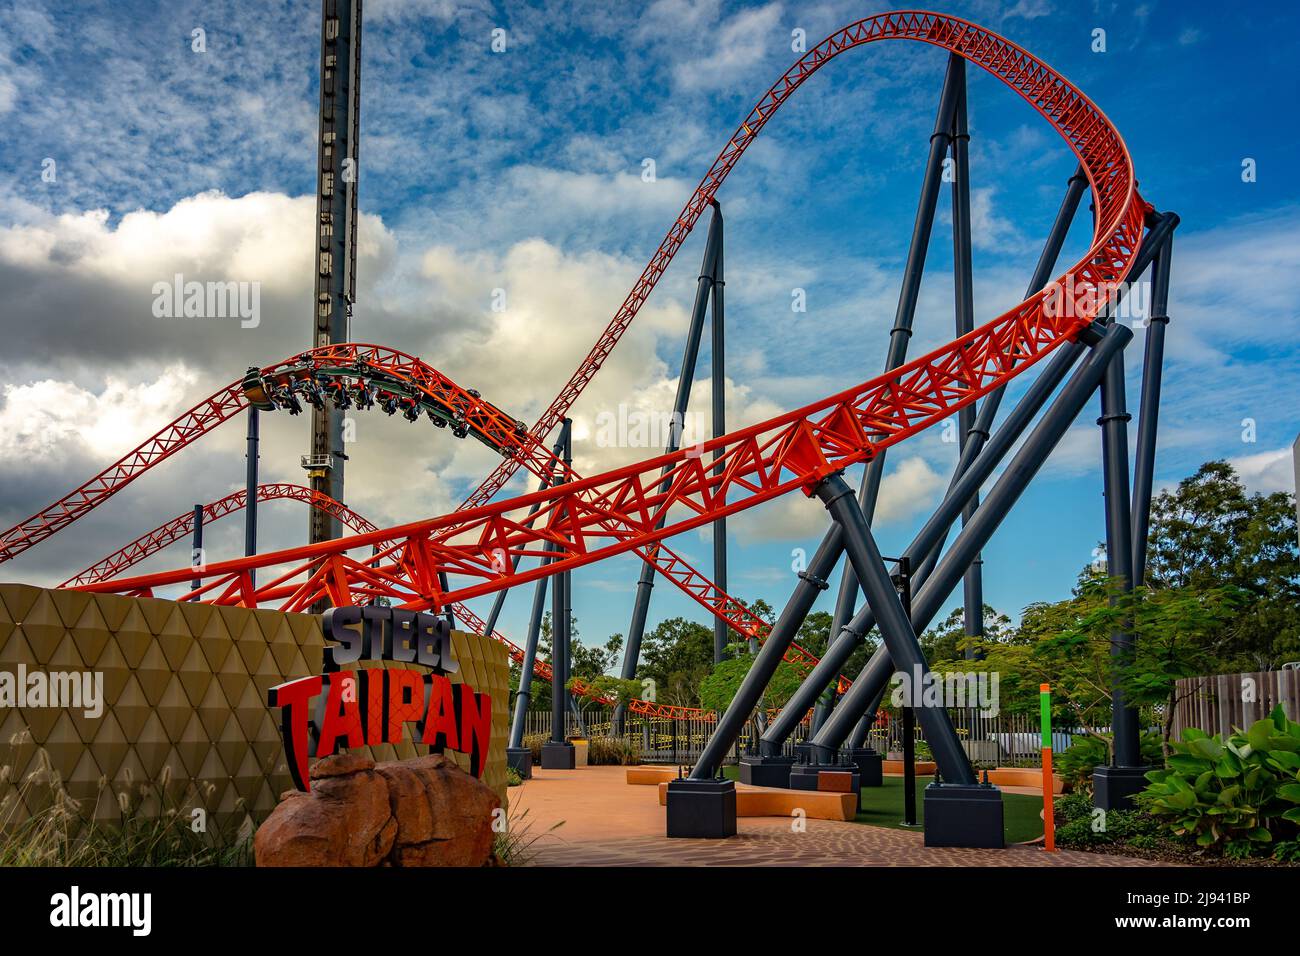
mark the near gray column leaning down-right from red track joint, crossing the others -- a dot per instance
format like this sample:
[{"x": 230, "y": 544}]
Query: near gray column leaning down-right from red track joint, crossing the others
[{"x": 895, "y": 628}]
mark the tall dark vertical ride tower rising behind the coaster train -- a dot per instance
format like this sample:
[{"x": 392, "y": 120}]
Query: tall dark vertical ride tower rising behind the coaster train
[{"x": 336, "y": 235}]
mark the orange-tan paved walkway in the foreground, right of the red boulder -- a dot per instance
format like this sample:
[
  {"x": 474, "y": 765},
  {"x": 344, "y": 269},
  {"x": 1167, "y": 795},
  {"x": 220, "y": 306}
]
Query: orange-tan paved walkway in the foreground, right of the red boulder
[{"x": 609, "y": 824}]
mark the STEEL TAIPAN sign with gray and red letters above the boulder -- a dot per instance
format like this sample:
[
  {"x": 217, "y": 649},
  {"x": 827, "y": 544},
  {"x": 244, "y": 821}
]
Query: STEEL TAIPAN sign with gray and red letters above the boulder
[{"x": 344, "y": 710}]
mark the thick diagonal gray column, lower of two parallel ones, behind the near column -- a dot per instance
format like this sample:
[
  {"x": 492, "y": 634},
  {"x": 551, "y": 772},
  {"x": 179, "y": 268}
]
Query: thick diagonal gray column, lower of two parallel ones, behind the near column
[{"x": 1007, "y": 491}]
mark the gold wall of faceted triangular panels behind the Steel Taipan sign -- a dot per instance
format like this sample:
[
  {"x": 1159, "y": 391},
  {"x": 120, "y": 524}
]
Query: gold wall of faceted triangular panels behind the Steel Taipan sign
[{"x": 185, "y": 715}]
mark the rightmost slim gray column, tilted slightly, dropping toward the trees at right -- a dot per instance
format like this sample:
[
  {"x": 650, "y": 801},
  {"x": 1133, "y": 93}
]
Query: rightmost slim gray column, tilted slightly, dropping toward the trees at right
[{"x": 1149, "y": 417}]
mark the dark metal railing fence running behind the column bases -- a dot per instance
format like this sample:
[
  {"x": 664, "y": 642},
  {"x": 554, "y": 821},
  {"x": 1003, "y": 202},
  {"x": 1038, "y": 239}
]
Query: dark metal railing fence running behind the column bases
[{"x": 998, "y": 741}]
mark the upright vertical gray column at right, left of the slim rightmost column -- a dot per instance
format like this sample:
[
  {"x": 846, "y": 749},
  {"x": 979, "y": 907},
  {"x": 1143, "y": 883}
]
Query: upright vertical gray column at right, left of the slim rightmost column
[{"x": 1115, "y": 453}]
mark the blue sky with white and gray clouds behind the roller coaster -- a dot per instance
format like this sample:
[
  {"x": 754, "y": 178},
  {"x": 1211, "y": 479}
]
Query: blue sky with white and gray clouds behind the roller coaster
[{"x": 522, "y": 171}]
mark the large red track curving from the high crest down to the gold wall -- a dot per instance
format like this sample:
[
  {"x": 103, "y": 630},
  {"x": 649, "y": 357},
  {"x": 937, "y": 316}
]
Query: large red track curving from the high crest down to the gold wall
[{"x": 597, "y": 518}]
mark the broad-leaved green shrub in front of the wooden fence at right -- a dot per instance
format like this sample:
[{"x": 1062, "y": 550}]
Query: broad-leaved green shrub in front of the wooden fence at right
[{"x": 1232, "y": 797}]
